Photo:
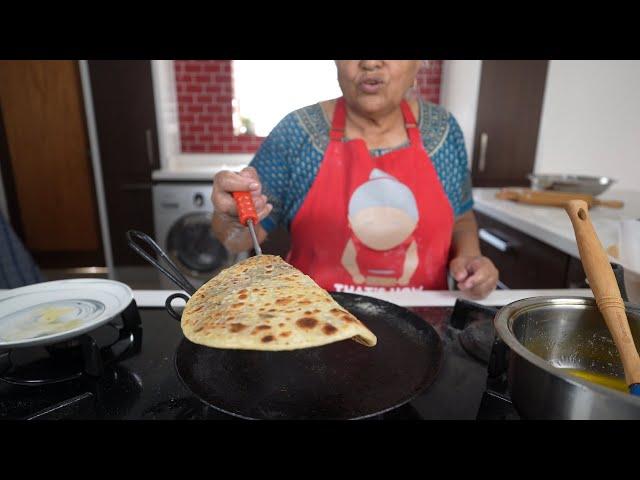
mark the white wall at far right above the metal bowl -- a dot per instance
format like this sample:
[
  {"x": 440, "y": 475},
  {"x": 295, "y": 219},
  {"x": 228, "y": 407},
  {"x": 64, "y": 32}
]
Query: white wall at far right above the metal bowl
[{"x": 591, "y": 120}]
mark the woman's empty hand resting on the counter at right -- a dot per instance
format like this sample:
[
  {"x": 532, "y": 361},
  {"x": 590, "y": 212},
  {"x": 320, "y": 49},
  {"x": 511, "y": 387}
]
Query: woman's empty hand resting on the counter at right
[{"x": 476, "y": 276}]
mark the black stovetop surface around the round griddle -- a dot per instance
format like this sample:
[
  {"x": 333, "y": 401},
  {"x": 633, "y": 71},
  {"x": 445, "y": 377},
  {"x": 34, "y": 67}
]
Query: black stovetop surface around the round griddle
[{"x": 144, "y": 384}]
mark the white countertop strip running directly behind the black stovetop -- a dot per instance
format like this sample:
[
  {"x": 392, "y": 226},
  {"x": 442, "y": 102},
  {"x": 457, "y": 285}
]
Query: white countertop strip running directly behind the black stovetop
[{"x": 156, "y": 298}]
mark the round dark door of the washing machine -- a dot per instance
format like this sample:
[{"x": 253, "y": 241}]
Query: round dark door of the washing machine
[{"x": 193, "y": 247}]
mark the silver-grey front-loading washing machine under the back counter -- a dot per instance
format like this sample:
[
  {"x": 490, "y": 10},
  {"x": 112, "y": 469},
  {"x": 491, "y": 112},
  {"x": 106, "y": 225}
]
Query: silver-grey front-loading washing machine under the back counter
[{"x": 182, "y": 214}]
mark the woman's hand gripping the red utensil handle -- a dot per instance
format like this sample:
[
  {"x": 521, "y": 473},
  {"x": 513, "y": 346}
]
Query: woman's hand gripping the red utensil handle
[{"x": 247, "y": 180}]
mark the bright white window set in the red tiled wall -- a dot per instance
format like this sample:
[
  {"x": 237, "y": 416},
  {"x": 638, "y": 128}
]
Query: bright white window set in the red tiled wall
[{"x": 267, "y": 90}]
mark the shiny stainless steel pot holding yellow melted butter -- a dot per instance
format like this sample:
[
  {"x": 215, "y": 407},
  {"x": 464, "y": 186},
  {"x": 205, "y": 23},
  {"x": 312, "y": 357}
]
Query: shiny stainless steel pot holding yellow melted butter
[{"x": 547, "y": 335}]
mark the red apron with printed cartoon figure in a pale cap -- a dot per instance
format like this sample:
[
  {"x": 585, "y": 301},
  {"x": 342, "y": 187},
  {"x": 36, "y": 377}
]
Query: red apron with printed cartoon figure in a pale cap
[{"x": 326, "y": 247}]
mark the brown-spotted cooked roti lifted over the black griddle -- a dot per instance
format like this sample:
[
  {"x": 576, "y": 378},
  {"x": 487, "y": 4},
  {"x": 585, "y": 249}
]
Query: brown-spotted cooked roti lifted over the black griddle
[{"x": 263, "y": 303}]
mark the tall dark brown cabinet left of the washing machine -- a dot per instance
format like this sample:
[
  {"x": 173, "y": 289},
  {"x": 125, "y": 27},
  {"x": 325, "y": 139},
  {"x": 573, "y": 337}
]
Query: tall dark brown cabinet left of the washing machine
[{"x": 126, "y": 125}]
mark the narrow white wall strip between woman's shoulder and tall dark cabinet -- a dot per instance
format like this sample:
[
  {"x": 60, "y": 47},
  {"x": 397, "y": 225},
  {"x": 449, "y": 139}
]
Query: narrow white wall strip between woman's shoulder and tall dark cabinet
[{"x": 459, "y": 95}]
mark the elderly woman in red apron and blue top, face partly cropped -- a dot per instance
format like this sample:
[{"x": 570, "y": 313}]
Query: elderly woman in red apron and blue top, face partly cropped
[{"x": 372, "y": 197}]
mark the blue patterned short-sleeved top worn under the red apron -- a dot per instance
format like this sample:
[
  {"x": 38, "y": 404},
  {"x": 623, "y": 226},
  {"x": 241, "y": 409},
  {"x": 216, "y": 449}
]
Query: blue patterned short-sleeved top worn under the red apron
[{"x": 289, "y": 158}]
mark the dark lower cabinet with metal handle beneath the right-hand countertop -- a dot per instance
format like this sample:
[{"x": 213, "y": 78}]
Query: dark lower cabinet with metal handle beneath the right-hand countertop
[{"x": 525, "y": 262}]
